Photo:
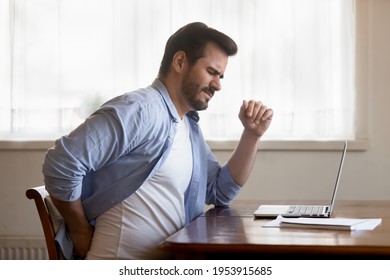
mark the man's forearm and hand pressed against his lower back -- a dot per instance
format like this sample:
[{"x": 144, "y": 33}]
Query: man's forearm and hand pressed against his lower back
[{"x": 80, "y": 230}]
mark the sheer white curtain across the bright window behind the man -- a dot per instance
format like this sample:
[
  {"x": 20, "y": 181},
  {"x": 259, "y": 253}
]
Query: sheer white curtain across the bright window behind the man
[{"x": 62, "y": 59}]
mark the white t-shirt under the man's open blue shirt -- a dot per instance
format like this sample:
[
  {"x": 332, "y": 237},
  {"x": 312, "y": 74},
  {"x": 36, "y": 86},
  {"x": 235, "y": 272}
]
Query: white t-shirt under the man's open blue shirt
[{"x": 134, "y": 228}]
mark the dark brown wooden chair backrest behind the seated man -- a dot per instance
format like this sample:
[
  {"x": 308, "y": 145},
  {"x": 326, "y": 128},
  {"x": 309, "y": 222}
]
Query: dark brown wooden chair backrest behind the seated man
[{"x": 50, "y": 218}]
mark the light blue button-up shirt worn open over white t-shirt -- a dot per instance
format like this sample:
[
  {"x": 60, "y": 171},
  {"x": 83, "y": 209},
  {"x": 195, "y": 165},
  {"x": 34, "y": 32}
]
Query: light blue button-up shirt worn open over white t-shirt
[{"x": 125, "y": 142}]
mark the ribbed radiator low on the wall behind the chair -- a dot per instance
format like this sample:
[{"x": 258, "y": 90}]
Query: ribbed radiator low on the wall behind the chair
[{"x": 22, "y": 249}]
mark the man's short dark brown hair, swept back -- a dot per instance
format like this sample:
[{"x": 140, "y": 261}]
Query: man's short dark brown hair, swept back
[{"x": 192, "y": 39}]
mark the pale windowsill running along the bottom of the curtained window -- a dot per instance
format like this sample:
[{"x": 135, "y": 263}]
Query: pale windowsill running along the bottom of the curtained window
[{"x": 215, "y": 145}]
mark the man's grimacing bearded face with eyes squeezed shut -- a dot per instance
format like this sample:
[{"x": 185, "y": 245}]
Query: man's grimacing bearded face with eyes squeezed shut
[{"x": 204, "y": 78}]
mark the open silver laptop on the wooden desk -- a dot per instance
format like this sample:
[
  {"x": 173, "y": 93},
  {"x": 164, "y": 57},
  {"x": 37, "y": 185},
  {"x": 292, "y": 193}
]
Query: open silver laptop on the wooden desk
[{"x": 311, "y": 211}]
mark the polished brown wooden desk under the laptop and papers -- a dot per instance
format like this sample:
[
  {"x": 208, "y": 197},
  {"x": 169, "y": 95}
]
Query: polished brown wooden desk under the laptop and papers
[{"x": 233, "y": 233}]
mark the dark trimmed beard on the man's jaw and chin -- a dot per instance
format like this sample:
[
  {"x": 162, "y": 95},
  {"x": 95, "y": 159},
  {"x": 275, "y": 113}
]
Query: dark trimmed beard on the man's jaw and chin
[{"x": 191, "y": 93}]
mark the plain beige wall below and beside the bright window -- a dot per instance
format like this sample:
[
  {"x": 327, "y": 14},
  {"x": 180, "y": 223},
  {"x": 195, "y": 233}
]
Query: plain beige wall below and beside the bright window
[{"x": 277, "y": 174}]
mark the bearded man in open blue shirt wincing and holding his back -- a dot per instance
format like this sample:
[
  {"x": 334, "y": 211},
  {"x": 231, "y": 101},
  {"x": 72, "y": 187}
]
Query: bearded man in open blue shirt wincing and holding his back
[{"x": 138, "y": 169}]
